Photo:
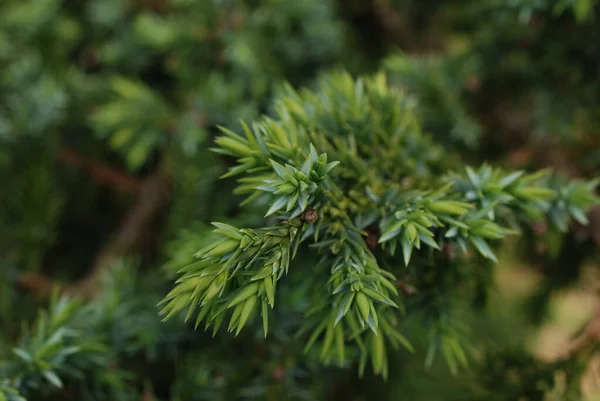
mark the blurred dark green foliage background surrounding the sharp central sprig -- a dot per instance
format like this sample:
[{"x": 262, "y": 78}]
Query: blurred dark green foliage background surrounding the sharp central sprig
[{"x": 108, "y": 111}]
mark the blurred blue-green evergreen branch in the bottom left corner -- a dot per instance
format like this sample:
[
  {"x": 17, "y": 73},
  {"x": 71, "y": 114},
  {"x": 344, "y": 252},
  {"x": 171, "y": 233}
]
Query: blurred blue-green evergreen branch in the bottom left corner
[{"x": 74, "y": 347}]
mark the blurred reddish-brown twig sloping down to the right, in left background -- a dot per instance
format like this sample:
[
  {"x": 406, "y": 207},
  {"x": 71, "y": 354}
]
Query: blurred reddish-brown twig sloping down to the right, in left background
[{"x": 101, "y": 173}]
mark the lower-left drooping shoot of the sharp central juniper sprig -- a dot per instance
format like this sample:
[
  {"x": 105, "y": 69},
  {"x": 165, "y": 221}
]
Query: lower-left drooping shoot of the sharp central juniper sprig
[{"x": 240, "y": 270}]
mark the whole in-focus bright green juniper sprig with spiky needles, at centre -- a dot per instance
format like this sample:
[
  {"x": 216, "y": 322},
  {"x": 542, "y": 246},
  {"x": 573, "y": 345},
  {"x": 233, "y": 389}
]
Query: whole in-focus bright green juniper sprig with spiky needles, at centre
[{"x": 388, "y": 181}]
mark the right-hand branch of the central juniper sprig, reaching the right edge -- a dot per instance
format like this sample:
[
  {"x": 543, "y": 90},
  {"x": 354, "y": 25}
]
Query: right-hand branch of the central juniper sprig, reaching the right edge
[{"x": 471, "y": 211}]
